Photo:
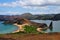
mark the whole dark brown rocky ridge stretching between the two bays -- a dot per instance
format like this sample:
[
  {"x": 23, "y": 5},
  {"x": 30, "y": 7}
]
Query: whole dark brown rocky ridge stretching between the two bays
[{"x": 24, "y": 21}]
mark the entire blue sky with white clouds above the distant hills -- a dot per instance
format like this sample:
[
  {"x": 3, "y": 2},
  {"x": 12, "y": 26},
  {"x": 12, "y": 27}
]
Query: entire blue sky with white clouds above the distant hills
[{"x": 13, "y": 7}]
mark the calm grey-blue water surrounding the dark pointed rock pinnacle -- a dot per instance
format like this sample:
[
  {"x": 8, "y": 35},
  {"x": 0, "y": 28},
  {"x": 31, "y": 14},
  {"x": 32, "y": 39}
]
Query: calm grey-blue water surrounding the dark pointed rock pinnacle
[{"x": 56, "y": 25}]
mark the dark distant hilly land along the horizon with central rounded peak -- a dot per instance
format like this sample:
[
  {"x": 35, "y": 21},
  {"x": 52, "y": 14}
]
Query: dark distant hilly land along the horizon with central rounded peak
[{"x": 29, "y": 16}]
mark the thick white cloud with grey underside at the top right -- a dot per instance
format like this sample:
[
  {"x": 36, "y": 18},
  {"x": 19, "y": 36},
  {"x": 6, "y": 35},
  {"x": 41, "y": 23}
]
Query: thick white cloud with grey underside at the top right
[{"x": 41, "y": 3}]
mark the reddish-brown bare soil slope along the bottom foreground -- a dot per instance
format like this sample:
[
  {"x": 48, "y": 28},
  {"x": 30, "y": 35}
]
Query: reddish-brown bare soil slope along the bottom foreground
[{"x": 54, "y": 36}]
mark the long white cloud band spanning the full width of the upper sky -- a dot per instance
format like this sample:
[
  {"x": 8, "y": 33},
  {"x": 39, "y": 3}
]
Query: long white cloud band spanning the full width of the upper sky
[{"x": 32, "y": 3}]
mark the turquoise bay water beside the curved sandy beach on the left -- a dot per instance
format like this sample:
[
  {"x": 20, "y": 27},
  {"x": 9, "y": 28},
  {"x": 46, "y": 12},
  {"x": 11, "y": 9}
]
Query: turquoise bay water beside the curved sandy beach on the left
[{"x": 7, "y": 28}]
